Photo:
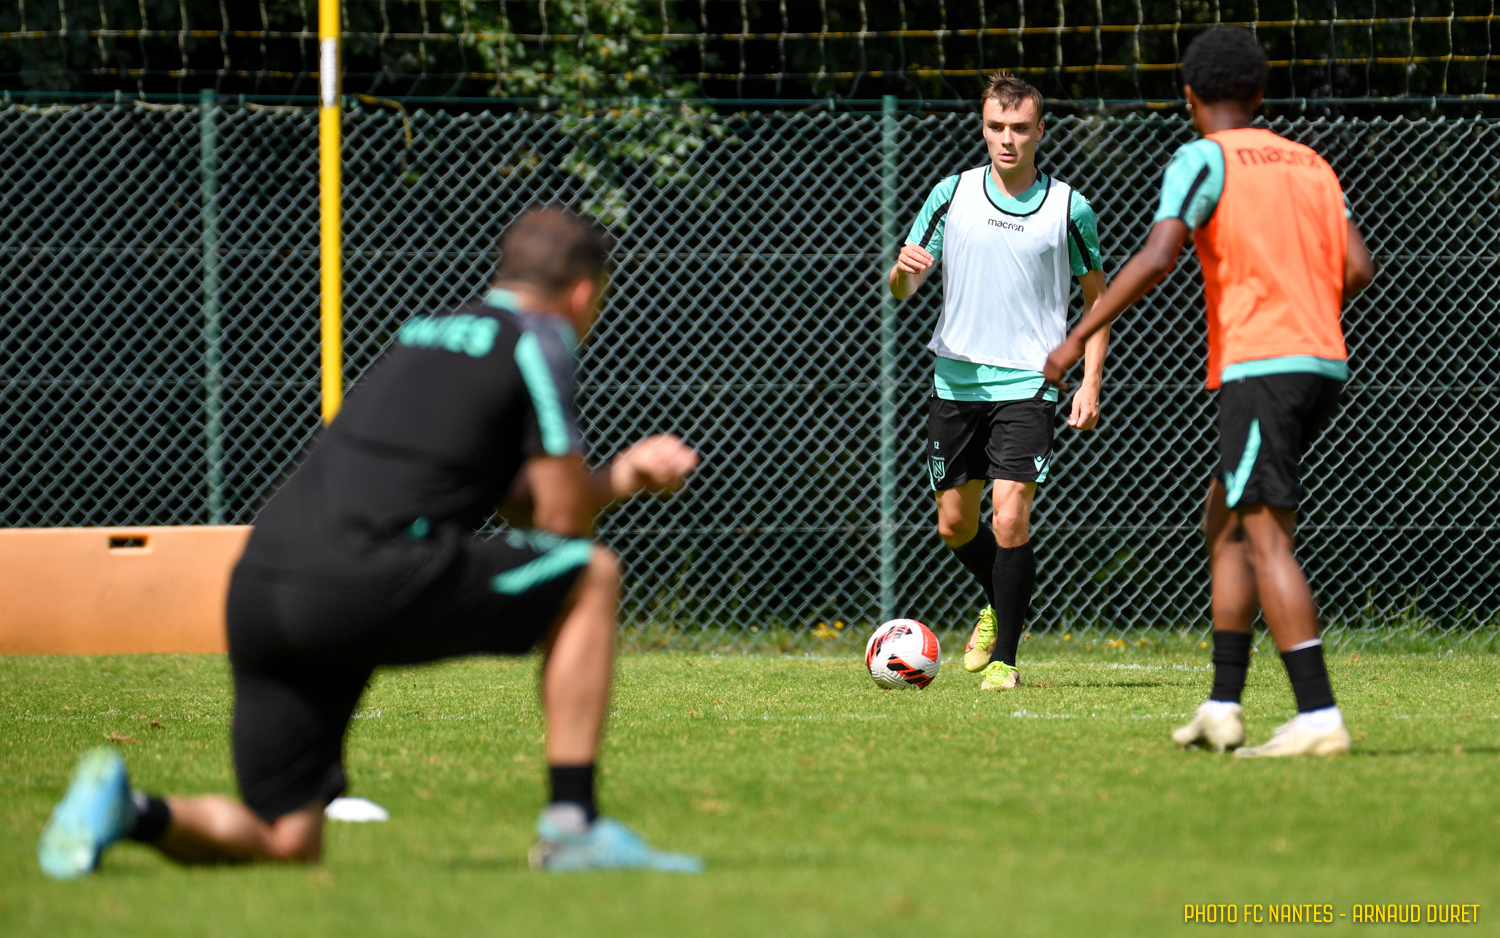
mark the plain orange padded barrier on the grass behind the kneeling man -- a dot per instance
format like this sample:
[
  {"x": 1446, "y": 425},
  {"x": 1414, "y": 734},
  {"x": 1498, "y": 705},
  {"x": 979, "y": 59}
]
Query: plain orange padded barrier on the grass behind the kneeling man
[{"x": 116, "y": 591}]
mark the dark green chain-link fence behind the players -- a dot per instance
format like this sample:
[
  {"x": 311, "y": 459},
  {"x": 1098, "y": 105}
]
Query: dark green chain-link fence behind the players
[{"x": 160, "y": 352}]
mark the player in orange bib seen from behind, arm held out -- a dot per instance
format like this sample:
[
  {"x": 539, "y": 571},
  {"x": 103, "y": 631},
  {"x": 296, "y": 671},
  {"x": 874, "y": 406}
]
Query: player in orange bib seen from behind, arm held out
[{"x": 1280, "y": 256}]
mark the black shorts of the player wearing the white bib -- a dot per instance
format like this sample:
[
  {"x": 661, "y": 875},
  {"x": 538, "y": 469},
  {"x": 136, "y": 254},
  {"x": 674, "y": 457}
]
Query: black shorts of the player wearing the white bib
[{"x": 989, "y": 440}]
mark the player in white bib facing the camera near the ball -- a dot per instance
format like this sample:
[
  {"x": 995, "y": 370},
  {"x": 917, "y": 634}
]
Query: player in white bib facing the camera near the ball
[{"x": 1010, "y": 239}]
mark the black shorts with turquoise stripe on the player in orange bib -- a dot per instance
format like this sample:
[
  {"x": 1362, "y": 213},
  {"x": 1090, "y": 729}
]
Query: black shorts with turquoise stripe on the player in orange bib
[{"x": 1267, "y": 425}]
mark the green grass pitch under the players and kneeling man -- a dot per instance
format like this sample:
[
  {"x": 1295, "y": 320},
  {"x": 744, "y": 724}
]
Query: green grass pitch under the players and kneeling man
[{"x": 821, "y": 805}]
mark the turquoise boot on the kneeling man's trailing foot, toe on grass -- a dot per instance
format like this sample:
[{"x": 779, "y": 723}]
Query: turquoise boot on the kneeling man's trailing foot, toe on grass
[{"x": 95, "y": 813}]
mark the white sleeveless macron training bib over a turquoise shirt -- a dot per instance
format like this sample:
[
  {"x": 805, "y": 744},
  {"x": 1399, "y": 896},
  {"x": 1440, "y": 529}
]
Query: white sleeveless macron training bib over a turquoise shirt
[{"x": 1007, "y": 278}]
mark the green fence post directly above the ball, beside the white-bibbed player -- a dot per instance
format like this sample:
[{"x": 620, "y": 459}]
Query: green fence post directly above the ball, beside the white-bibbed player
[{"x": 889, "y": 247}]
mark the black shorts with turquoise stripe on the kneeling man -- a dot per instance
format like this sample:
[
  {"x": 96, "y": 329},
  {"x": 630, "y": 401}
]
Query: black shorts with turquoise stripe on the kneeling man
[{"x": 302, "y": 652}]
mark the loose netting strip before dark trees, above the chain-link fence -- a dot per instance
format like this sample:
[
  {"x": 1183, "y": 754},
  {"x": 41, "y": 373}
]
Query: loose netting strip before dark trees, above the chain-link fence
[{"x": 1076, "y": 52}]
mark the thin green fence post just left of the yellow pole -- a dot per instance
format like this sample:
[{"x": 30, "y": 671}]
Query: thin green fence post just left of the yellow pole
[{"x": 212, "y": 377}]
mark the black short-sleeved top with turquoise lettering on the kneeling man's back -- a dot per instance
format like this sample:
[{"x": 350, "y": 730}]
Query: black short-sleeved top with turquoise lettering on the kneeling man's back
[{"x": 425, "y": 448}]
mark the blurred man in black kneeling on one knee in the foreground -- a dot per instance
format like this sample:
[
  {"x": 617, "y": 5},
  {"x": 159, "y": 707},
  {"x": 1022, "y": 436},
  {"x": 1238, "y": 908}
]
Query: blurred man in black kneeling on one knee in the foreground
[{"x": 367, "y": 558}]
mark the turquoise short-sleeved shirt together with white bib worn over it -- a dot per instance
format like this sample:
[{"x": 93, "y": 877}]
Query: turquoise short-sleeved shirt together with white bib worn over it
[{"x": 1007, "y": 266}]
